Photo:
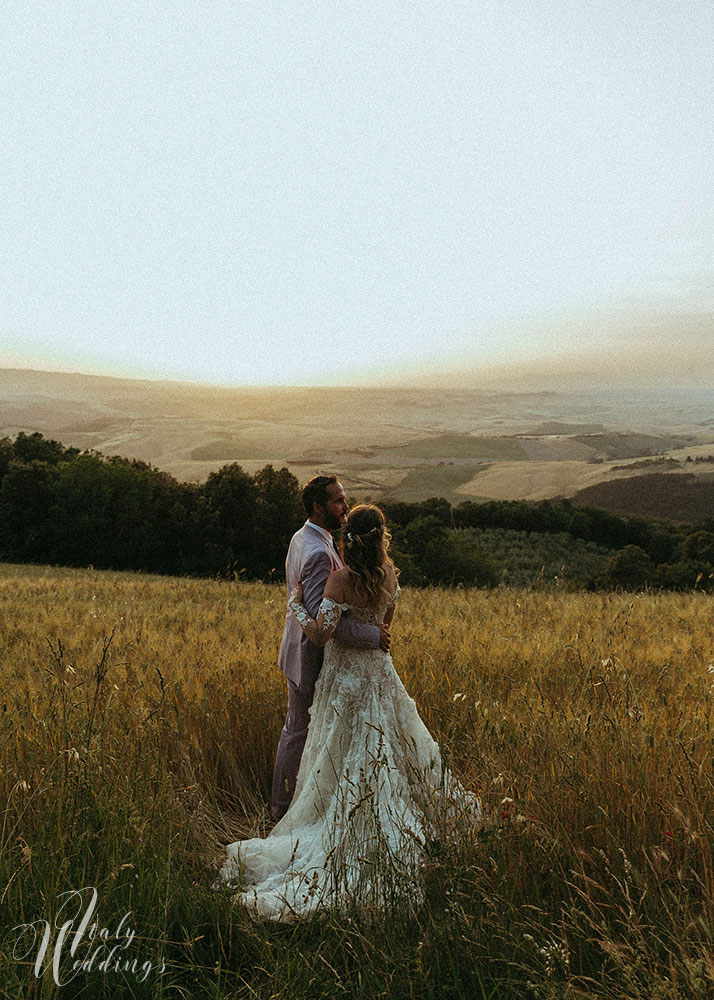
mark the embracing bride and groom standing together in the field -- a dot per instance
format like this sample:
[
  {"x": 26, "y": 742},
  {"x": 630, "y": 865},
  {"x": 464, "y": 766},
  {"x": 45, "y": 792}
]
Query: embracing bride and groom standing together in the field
[{"x": 358, "y": 778}]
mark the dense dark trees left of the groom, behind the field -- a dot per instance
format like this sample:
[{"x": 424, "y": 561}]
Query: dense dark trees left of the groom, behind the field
[{"x": 59, "y": 505}]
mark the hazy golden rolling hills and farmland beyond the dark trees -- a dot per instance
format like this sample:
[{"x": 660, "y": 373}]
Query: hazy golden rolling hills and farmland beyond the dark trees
[{"x": 403, "y": 442}]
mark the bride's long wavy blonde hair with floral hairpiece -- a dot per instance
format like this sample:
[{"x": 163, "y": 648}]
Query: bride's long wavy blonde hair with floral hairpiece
[{"x": 365, "y": 541}]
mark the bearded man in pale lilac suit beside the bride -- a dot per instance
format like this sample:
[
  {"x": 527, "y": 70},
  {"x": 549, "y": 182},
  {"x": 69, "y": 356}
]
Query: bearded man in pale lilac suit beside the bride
[{"x": 312, "y": 556}]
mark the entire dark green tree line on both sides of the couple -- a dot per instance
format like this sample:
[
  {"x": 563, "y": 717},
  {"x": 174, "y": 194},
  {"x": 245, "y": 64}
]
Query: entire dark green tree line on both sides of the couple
[{"x": 69, "y": 507}]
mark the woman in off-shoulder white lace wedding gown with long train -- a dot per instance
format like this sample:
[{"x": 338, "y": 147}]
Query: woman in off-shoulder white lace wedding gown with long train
[{"x": 371, "y": 788}]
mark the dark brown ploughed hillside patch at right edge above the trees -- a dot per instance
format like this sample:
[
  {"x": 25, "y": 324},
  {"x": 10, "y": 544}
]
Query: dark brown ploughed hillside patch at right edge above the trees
[{"x": 683, "y": 497}]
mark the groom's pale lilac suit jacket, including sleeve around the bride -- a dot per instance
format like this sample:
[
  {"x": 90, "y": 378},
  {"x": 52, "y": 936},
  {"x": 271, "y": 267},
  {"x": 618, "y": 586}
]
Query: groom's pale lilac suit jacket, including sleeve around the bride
[{"x": 311, "y": 558}]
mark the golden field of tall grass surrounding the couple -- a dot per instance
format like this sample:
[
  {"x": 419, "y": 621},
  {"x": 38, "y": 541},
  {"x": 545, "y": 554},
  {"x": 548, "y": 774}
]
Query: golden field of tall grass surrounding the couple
[{"x": 139, "y": 721}]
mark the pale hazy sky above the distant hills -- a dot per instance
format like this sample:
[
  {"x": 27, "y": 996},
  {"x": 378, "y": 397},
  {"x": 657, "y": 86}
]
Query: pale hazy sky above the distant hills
[{"x": 282, "y": 192}]
